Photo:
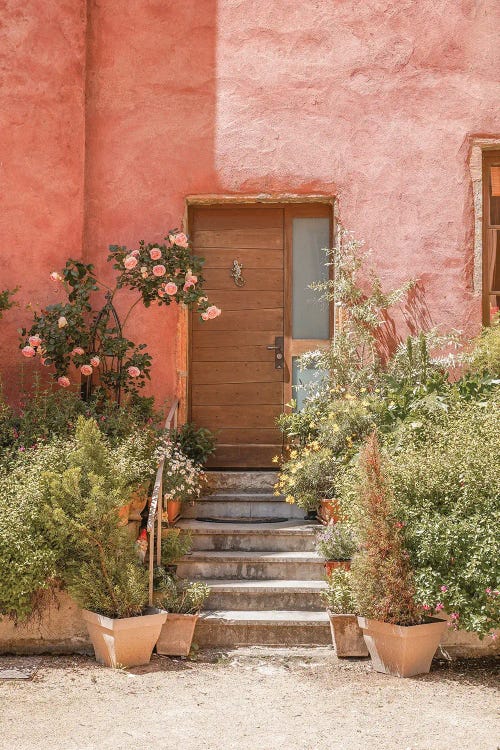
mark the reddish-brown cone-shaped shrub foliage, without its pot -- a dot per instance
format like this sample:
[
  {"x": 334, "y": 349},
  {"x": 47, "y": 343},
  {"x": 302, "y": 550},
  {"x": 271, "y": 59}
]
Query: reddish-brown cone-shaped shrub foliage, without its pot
[{"x": 382, "y": 578}]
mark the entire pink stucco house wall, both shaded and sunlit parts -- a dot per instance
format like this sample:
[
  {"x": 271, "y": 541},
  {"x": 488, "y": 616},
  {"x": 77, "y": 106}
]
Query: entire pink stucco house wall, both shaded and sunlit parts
[{"x": 374, "y": 101}]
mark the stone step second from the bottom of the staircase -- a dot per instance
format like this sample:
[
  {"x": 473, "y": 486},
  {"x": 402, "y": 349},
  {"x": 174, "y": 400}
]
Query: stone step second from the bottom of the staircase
[{"x": 264, "y": 595}]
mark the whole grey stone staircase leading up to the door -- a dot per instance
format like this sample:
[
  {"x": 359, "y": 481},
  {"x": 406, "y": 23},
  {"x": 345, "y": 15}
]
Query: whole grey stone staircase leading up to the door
[{"x": 264, "y": 574}]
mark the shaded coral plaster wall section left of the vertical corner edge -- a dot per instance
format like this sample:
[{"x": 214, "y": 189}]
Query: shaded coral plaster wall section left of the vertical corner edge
[{"x": 42, "y": 58}]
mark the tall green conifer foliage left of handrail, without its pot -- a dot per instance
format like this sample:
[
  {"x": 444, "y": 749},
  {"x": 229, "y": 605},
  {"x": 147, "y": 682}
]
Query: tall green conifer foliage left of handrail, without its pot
[{"x": 96, "y": 557}]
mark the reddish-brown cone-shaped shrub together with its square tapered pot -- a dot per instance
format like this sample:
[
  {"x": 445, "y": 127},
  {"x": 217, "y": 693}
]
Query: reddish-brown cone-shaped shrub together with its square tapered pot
[{"x": 400, "y": 638}]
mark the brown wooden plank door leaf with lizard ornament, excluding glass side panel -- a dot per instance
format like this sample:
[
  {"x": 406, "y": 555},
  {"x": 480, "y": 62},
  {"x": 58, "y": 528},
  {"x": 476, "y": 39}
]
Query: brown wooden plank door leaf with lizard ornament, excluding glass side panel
[{"x": 236, "y": 390}]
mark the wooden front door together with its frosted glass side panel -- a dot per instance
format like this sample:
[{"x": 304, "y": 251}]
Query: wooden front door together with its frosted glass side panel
[{"x": 259, "y": 263}]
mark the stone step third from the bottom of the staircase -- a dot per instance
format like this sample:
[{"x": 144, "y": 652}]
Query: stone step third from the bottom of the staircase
[{"x": 252, "y": 565}]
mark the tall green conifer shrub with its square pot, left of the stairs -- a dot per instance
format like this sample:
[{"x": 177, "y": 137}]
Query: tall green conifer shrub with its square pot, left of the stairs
[{"x": 97, "y": 557}]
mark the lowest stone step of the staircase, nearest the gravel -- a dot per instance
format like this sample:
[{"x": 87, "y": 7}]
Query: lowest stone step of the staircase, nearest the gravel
[{"x": 254, "y": 627}]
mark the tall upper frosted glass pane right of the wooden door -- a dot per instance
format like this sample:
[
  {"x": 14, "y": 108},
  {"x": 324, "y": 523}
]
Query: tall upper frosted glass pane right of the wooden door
[{"x": 310, "y": 317}]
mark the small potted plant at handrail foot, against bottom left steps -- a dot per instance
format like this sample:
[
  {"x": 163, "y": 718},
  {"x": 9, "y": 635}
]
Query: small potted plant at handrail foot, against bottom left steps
[{"x": 183, "y": 601}]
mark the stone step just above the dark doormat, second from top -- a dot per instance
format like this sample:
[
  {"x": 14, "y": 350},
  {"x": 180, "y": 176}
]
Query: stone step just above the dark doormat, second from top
[{"x": 242, "y": 505}]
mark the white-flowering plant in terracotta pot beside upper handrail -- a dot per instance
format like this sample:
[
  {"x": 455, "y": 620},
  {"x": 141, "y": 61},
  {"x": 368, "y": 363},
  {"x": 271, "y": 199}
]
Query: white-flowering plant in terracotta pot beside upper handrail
[{"x": 182, "y": 480}]
